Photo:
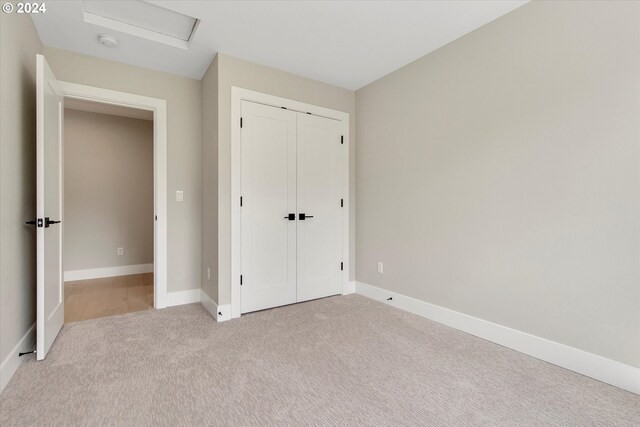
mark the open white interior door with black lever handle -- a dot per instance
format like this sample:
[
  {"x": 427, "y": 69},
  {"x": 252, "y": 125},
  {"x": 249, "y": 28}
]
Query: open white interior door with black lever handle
[{"x": 49, "y": 146}]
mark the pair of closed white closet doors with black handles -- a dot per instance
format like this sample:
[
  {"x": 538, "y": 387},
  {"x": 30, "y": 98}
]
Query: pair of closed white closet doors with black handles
[{"x": 291, "y": 207}]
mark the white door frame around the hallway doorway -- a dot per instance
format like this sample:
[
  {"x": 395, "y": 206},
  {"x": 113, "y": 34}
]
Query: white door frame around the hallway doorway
[{"x": 159, "y": 109}]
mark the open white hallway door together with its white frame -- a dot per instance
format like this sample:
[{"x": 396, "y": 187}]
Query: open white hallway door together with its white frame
[{"x": 51, "y": 95}]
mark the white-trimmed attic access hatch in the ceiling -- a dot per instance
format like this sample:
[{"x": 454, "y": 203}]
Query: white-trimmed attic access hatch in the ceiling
[{"x": 142, "y": 19}]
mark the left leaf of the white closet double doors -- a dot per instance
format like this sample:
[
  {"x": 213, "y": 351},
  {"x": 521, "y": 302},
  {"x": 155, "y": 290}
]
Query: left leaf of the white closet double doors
[{"x": 268, "y": 196}]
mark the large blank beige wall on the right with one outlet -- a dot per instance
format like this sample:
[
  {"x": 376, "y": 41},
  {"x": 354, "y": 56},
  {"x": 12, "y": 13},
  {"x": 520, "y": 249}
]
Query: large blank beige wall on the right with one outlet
[{"x": 499, "y": 176}]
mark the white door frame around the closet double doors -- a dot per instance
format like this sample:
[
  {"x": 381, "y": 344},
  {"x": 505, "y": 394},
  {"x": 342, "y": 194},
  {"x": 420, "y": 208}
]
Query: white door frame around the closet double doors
[{"x": 237, "y": 96}]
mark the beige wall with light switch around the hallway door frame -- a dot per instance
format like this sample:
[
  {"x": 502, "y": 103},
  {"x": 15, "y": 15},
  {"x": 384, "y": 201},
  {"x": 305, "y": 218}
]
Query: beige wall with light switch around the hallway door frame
[{"x": 183, "y": 144}]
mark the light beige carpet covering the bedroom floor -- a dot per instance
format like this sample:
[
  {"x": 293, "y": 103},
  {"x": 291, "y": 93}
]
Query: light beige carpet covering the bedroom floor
[{"x": 337, "y": 361}]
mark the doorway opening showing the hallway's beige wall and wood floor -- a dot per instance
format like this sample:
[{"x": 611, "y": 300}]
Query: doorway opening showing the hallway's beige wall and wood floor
[{"x": 108, "y": 238}]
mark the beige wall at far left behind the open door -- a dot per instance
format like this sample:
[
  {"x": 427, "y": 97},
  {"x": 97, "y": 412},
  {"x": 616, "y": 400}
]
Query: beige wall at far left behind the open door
[{"x": 19, "y": 44}]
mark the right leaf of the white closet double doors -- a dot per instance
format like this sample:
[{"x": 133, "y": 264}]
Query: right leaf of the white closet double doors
[{"x": 319, "y": 193}]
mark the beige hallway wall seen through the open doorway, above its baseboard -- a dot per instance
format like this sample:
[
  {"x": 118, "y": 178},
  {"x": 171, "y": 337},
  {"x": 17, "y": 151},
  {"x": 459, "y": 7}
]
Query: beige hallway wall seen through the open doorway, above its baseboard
[{"x": 108, "y": 190}]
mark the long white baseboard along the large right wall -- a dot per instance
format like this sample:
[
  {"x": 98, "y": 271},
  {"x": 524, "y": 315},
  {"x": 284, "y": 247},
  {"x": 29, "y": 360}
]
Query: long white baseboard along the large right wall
[{"x": 606, "y": 370}]
